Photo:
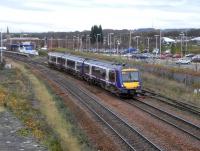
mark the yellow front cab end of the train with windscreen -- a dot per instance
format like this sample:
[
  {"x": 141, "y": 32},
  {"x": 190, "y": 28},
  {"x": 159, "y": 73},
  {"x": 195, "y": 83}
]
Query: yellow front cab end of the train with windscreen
[{"x": 130, "y": 82}]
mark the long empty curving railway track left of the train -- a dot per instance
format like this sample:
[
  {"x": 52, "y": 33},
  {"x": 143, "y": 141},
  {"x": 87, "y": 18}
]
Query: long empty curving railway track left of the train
[{"x": 133, "y": 139}]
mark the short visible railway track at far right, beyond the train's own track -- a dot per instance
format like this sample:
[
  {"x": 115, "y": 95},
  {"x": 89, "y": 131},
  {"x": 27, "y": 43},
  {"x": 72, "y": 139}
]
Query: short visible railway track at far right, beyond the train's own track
[{"x": 175, "y": 103}]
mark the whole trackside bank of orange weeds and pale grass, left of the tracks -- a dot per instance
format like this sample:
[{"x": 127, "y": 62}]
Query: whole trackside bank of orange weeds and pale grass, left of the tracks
[{"x": 42, "y": 111}]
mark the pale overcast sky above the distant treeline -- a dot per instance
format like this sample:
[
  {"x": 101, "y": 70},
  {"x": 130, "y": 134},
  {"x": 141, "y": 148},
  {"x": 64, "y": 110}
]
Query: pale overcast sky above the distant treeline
[{"x": 71, "y": 15}]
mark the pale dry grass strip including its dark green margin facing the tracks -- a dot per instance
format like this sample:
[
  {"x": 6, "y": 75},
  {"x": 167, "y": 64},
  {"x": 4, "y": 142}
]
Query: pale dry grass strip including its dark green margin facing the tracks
[{"x": 62, "y": 120}]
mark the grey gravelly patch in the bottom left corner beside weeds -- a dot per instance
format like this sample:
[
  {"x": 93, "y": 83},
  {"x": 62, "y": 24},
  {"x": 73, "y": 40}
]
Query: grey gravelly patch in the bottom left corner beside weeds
[{"x": 10, "y": 140}]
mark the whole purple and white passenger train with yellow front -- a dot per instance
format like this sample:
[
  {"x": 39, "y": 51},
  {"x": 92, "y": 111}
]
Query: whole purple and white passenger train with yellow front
[{"x": 116, "y": 78}]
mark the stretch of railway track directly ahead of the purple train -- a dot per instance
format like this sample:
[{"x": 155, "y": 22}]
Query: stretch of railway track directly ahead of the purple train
[{"x": 175, "y": 121}]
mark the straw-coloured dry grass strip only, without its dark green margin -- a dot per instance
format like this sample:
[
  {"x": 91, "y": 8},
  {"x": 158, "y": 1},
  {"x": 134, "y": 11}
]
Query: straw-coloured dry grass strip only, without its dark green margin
[{"x": 53, "y": 117}]
